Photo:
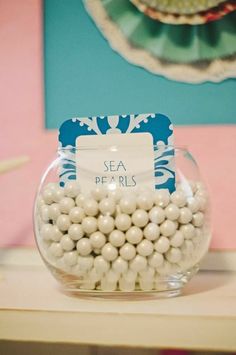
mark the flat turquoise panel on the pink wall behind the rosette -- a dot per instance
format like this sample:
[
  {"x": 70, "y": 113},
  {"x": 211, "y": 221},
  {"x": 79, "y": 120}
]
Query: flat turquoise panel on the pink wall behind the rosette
[{"x": 84, "y": 76}]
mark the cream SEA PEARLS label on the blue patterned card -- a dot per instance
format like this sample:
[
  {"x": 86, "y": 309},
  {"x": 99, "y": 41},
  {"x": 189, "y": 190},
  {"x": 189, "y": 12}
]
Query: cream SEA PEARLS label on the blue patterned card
[{"x": 115, "y": 160}]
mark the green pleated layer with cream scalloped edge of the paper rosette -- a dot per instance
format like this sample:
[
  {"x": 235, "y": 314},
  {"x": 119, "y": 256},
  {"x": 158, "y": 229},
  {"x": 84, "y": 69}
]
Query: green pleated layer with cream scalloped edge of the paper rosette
[{"x": 181, "y": 52}]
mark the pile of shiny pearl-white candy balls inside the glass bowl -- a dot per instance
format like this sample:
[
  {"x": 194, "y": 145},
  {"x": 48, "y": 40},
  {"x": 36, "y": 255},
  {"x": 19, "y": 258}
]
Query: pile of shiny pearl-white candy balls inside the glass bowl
[{"x": 121, "y": 240}]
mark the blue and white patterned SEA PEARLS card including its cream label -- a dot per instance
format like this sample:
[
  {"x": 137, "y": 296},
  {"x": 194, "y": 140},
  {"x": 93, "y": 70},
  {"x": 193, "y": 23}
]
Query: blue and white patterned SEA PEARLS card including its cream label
[{"x": 123, "y": 150}]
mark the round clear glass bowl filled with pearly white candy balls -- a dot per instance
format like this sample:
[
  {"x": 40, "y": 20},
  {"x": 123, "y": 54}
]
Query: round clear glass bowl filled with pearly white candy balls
[{"x": 113, "y": 241}]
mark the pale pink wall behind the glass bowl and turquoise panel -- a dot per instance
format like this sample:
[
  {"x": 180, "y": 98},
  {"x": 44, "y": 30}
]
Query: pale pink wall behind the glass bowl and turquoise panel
[{"x": 21, "y": 114}]
